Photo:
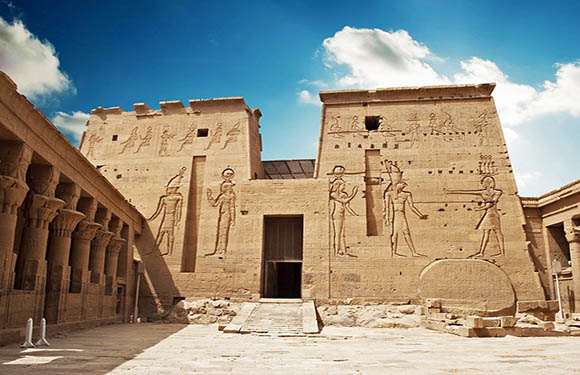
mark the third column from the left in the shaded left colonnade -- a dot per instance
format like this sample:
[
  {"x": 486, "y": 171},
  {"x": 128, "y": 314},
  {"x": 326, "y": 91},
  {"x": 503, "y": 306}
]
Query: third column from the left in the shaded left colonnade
[{"x": 58, "y": 252}]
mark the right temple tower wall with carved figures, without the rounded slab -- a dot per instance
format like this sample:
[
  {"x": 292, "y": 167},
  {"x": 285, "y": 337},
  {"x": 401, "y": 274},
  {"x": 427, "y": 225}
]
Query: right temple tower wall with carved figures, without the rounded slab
[{"x": 444, "y": 147}]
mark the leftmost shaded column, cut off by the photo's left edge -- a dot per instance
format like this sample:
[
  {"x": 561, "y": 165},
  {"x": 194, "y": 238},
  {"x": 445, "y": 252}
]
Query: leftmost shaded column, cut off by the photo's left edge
[{"x": 14, "y": 161}]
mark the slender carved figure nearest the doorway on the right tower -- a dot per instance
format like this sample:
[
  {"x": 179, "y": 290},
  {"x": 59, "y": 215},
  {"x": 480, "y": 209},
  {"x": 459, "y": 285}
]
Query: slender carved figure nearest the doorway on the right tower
[{"x": 339, "y": 206}]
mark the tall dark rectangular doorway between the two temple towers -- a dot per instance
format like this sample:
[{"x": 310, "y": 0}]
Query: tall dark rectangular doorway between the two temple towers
[{"x": 282, "y": 267}]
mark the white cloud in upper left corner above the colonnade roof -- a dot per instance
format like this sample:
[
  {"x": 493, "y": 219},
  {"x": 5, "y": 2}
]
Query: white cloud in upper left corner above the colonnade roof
[{"x": 30, "y": 62}]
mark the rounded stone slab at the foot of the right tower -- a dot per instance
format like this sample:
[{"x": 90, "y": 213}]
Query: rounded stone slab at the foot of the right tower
[{"x": 468, "y": 285}]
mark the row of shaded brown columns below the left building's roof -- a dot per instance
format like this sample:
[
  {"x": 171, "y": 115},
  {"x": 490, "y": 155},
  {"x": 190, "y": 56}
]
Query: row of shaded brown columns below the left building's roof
[{"x": 59, "y": 247}]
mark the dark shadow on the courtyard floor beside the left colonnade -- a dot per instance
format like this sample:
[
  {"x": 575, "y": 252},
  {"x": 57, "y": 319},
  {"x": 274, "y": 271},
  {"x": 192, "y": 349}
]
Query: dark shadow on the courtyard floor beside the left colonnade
[{"x": 93, "y": 351}]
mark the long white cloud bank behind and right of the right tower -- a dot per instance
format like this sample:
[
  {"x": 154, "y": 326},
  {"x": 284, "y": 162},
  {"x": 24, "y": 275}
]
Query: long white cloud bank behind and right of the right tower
[{"x": 371, "y": 58}]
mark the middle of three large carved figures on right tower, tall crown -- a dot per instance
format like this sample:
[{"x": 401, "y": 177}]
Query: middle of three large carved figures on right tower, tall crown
[{"x": 396, "y": 199}]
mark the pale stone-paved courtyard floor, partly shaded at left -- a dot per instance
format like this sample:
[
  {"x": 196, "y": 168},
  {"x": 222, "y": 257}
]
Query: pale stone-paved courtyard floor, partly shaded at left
[{"x": 180, "y": 349}]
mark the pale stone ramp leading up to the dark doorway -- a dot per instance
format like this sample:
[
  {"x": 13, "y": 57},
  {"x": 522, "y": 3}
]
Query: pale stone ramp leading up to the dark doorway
[{"x": 276, "y": 317}]
